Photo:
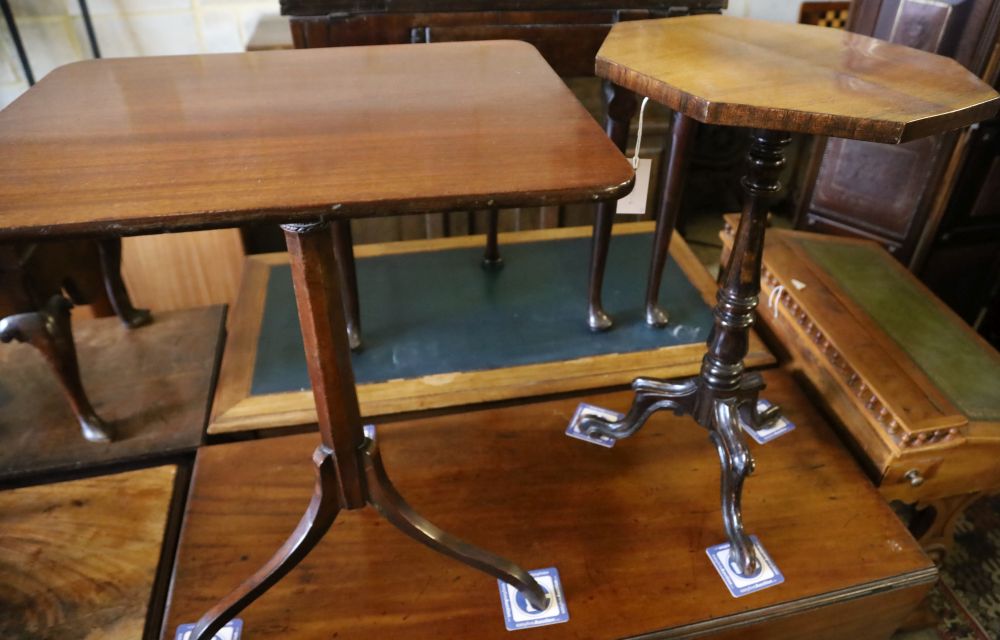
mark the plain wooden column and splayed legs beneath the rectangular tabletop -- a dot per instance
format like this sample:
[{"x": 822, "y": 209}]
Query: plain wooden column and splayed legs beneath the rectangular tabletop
[{"x": 350, "y": 473}]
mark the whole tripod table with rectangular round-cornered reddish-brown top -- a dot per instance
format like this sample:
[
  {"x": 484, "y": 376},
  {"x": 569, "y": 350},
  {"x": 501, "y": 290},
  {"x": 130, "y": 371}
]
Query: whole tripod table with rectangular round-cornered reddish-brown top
[{"x": 305, "y": 138}]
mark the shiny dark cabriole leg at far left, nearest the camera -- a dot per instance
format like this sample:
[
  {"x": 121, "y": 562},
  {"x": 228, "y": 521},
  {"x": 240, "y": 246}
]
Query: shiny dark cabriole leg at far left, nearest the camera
[{"x": 49, "y": 330}]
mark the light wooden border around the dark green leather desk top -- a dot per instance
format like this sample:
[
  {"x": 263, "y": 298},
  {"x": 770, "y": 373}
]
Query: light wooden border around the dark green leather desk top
[{"x": 235, "y": 409}]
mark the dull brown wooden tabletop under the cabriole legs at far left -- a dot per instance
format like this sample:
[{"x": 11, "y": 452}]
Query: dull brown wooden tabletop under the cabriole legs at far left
[{"x": 153, "y": 386}]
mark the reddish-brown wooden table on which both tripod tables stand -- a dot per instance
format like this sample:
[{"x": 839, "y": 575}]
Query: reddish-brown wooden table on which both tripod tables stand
[{"x": 627, "y": 528}]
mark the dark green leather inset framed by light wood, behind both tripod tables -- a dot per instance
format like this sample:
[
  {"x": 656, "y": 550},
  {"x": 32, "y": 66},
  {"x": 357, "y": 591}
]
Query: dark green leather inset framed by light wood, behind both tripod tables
[{"x": 440, "y": 312}]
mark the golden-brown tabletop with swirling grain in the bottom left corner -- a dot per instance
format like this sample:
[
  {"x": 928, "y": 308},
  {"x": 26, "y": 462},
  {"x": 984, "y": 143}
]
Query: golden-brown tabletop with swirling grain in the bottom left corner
[{"x": 80, "y": 558}]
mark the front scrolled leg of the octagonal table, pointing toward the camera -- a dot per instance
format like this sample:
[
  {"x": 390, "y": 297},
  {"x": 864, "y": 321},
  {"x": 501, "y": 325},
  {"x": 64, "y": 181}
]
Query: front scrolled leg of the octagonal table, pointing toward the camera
[{"x": 737, "y": 464}]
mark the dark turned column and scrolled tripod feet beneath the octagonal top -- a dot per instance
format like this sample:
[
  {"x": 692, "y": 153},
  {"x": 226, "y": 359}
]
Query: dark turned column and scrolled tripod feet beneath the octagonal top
[{"x": 723, "y": 395}]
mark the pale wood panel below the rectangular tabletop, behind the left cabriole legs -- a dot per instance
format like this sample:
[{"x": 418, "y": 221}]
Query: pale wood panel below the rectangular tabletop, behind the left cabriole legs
[{"x": 183, "y": 270}]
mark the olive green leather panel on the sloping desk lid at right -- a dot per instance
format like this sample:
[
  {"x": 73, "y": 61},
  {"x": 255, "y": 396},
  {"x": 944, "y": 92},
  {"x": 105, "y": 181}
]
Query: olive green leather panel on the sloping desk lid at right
[{"x": 962, "y": 368}]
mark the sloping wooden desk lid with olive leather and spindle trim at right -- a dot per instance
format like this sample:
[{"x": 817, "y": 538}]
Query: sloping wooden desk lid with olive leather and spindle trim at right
[{"x": 914, "y": 366}]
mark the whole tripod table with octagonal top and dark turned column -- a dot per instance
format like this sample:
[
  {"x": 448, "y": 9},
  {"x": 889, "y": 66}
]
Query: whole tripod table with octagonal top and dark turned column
[{"x": 775, "y": 78}]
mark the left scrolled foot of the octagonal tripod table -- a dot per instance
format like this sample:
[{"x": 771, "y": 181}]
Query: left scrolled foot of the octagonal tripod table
[{"x": 650, "y": 396}]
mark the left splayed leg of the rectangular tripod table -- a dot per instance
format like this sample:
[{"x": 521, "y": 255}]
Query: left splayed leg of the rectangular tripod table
[{"x": 320, "y": 514}]
